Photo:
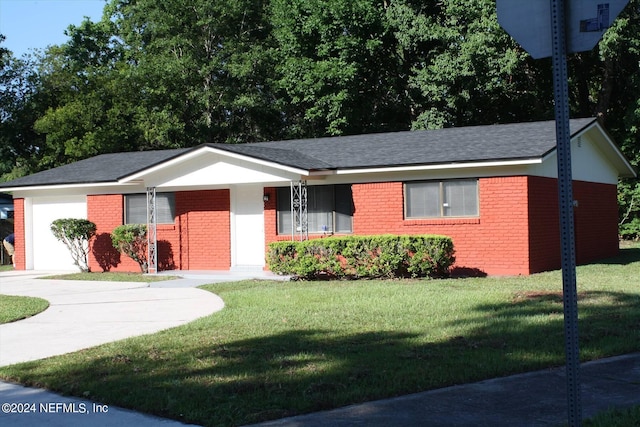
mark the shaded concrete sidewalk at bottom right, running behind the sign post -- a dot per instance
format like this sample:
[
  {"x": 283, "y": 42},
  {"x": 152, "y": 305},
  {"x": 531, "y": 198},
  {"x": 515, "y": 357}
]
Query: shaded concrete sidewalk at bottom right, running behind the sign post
[{"x": 526, "y": 400}]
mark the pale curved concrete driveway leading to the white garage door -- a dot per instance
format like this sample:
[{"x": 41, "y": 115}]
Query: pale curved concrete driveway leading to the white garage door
[{"x": 84, "y": 314}]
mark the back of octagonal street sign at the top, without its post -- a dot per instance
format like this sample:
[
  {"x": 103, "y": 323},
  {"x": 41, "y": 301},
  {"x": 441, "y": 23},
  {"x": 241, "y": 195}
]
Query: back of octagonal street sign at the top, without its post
[{"x": 529, "y": 23}]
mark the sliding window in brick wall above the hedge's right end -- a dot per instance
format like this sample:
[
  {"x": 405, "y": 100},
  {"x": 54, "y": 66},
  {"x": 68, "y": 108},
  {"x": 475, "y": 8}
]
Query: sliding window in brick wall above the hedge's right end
[{"x": 438, "y": 199}]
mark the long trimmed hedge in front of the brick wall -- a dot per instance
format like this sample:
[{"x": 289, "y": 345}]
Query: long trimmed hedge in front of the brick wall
[{"x": 355, "y": 257}]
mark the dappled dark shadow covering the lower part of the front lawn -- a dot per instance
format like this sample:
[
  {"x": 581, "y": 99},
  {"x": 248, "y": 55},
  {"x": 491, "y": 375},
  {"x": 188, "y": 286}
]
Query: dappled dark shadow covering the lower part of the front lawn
[{"x": 216, "y": 379}]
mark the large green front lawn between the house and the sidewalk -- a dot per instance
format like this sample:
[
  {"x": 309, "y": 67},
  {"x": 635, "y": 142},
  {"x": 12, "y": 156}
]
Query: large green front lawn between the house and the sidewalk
[{"x": 284, "y": 348}]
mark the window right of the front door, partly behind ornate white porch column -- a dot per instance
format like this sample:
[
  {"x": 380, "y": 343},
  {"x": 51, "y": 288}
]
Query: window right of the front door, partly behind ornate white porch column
[{"x": 329, "y": 209}]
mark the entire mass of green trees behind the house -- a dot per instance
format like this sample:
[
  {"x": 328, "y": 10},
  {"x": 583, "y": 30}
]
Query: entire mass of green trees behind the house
[{"x": 153, "y": 75}]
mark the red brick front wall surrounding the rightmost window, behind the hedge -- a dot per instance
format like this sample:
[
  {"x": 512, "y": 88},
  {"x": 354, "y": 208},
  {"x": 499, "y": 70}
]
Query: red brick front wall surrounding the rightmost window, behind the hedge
[{"x": 494, "y": 243}]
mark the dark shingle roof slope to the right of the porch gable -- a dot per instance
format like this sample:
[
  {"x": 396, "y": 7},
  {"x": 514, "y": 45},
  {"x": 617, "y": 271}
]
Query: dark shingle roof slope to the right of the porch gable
[{"x": 429, "y": 147}]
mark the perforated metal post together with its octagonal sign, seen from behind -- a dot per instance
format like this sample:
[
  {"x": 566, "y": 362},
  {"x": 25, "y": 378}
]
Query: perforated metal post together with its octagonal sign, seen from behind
[{"x": 550, "y": 28}]
